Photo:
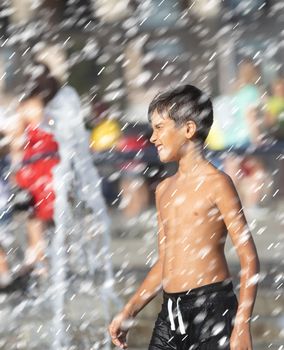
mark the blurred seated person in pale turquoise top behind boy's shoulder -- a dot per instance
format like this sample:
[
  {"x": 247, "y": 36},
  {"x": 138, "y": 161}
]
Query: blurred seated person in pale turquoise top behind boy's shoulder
[{"x": 246, "y": 130}]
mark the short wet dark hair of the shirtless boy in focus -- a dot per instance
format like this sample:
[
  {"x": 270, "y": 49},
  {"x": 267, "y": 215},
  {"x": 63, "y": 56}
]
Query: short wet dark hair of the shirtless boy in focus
[{"x": 183, "y": 104}]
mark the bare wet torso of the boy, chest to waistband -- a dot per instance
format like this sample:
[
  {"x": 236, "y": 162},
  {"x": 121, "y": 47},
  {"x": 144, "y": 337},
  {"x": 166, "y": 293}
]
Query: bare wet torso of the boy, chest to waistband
[{"x": 192, "y": 234}]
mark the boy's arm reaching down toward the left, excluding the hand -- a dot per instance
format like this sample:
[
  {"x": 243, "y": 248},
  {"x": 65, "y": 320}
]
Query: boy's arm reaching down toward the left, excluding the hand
[{"x": 152, "y": 284}]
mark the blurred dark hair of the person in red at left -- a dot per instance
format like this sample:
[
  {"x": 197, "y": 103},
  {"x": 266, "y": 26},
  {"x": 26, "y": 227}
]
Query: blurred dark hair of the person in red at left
[{"x": 41, "y": 83}]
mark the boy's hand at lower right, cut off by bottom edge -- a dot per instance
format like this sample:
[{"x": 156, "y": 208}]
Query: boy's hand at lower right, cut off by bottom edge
[{"x": 241, "y": 337}]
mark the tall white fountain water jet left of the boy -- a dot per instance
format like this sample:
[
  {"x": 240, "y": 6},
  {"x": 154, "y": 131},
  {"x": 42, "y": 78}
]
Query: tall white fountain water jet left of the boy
[{"x": 76, "y": 166}]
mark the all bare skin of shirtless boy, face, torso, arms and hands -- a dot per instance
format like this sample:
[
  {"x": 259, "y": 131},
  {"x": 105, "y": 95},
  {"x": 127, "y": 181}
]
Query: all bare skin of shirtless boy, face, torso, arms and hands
[{"x": 195, "y": 208}]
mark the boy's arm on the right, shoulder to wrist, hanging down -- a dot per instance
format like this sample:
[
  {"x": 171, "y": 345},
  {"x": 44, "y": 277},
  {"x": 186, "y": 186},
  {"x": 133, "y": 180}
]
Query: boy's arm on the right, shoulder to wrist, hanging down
[{"x": 229, "y": 204}]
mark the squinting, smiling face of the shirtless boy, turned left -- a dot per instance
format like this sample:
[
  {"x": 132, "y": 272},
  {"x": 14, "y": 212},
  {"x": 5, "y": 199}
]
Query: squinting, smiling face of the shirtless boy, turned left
[{"x": 167, "y": 137}]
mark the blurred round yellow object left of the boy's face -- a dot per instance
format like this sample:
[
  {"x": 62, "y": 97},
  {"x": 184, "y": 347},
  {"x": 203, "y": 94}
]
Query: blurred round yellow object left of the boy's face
[{"x": 105, "y": 135}]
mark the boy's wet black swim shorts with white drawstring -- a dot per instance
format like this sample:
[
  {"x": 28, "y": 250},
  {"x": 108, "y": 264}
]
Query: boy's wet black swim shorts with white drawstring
[{"x": 201, "y": 318}]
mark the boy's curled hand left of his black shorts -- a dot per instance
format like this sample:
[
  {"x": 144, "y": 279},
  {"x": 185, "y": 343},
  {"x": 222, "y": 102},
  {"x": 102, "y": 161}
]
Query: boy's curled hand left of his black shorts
[{"x": 119, "y": 328}]
